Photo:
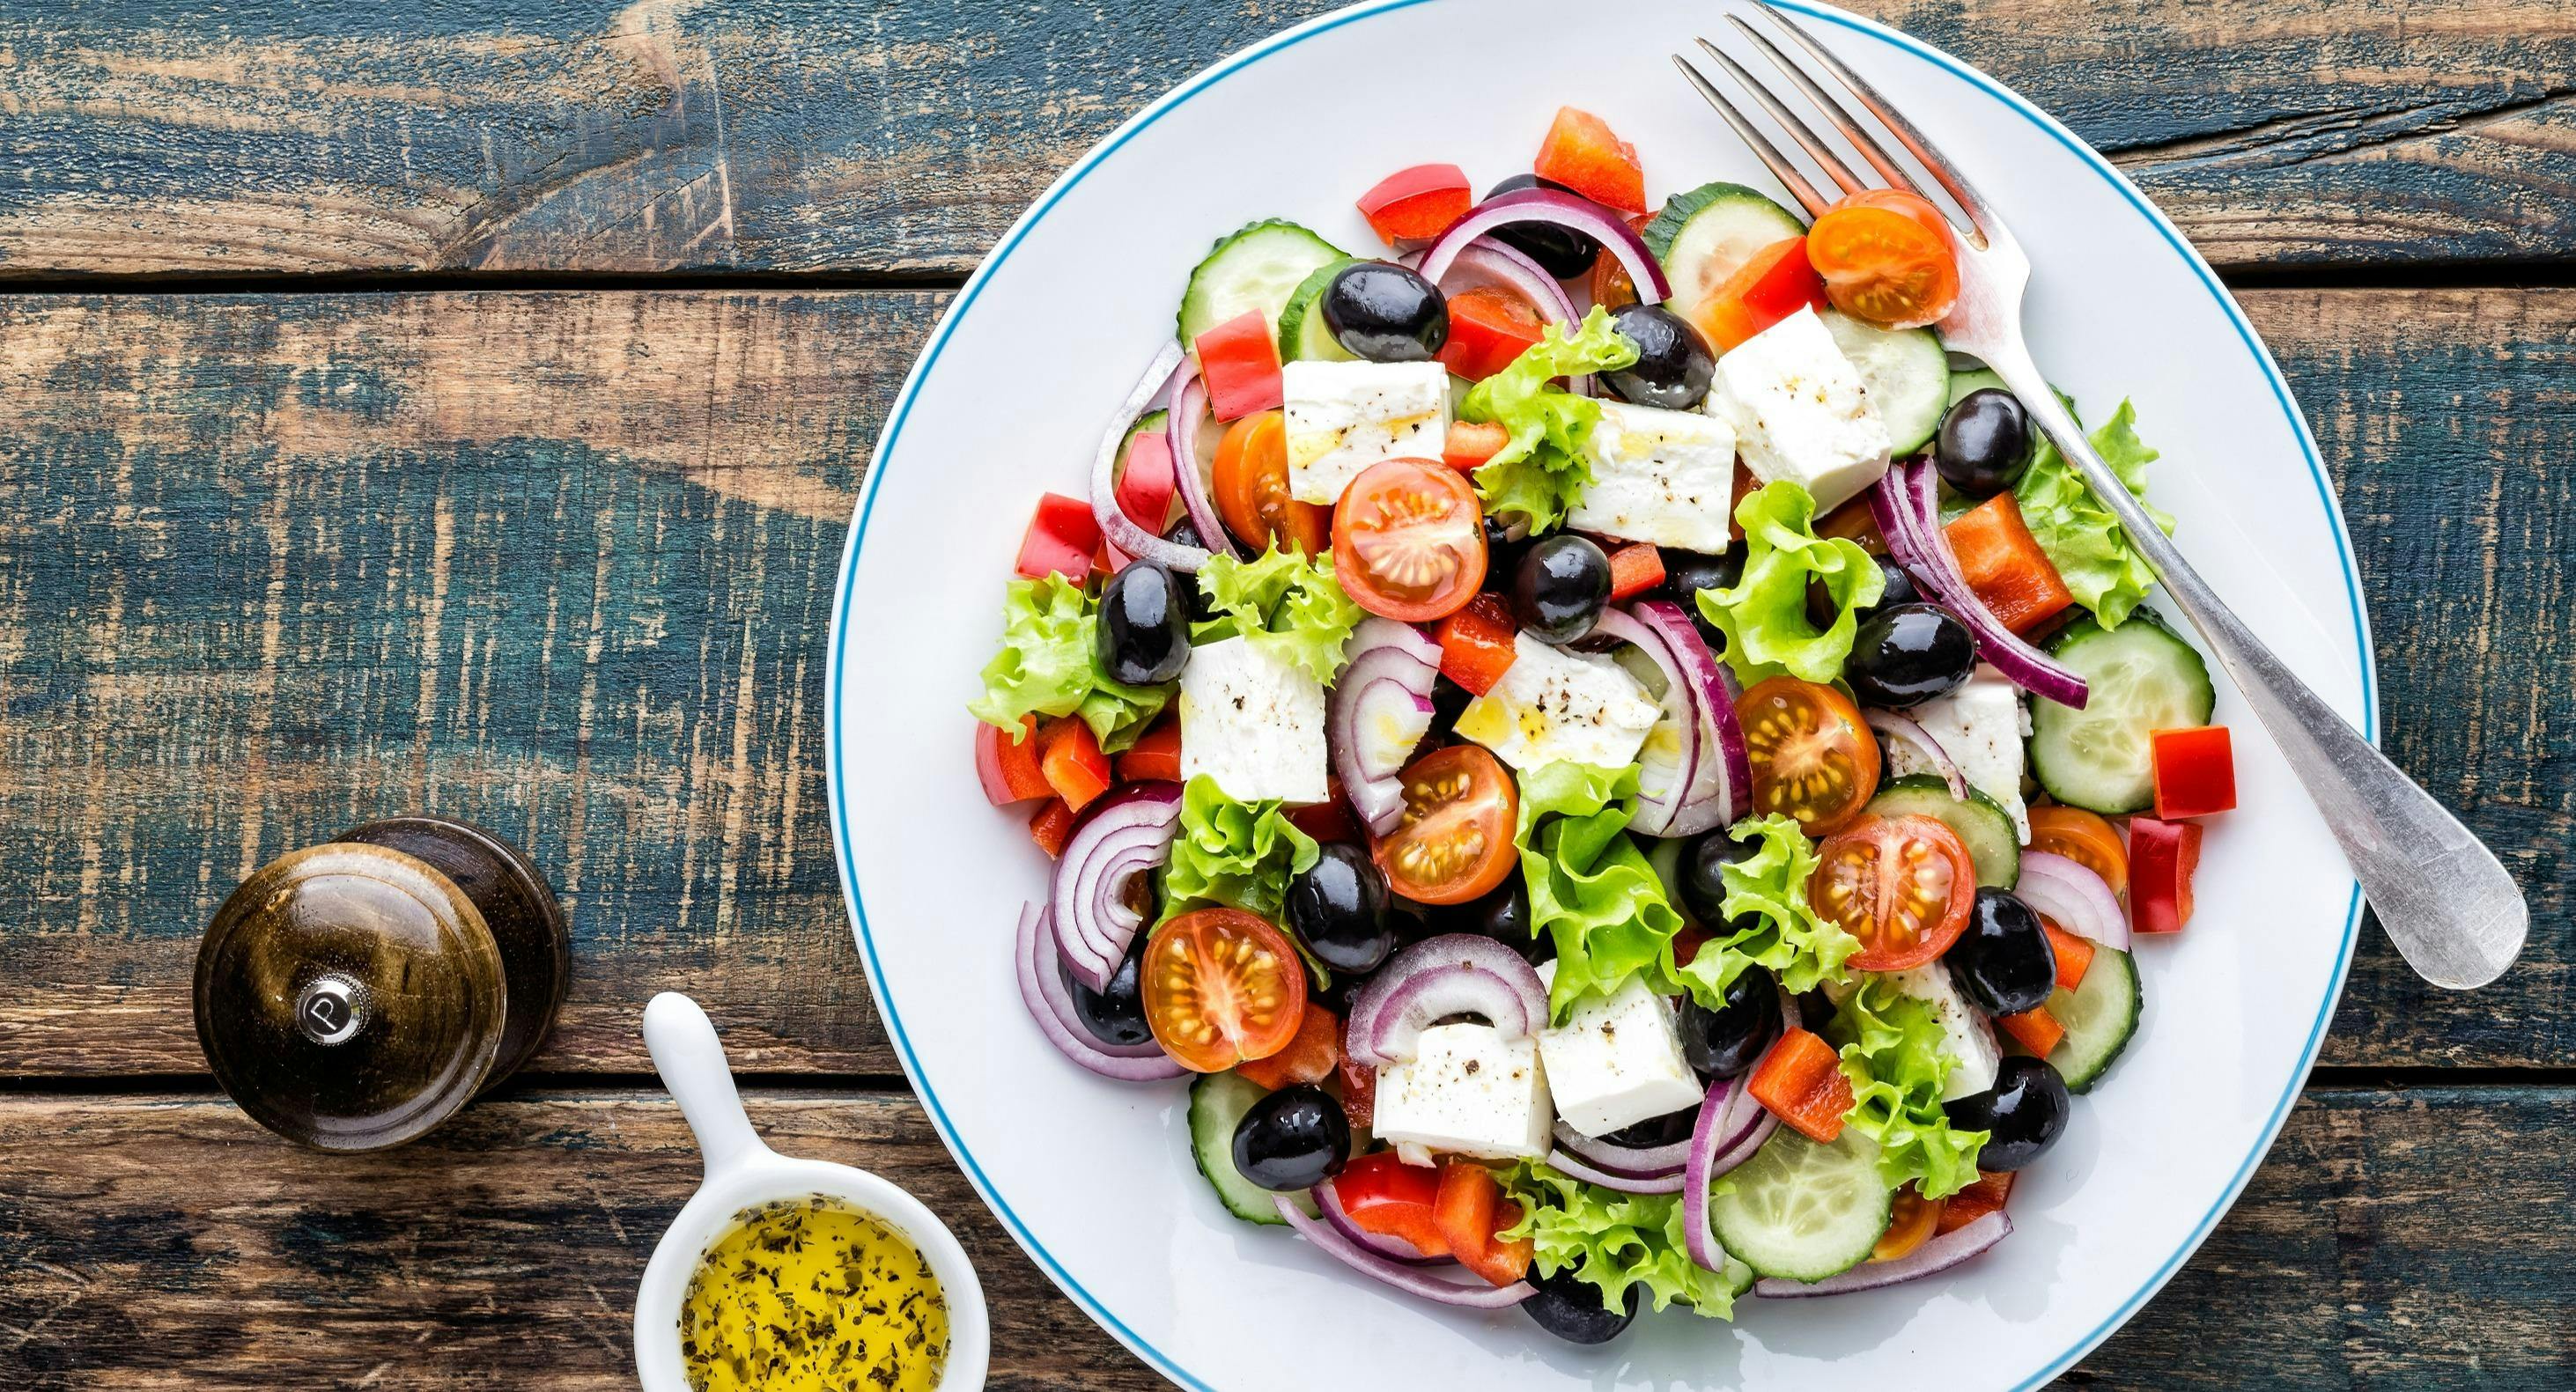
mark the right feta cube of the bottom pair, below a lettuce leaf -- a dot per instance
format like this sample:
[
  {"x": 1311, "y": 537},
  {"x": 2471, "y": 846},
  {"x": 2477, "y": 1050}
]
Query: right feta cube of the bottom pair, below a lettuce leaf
[{"x": 1616, "y": 1061}]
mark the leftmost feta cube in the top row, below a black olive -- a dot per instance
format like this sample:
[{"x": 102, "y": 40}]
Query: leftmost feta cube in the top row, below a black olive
[{"x": 1341, "y": 418}]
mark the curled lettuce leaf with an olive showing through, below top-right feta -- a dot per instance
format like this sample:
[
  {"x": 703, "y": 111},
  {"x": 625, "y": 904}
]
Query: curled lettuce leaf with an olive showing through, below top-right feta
[{"x": 1763, "y": 616}]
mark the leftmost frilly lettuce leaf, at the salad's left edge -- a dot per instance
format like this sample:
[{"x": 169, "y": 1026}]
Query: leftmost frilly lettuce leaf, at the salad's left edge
[{"x": 1050, "y": 668}]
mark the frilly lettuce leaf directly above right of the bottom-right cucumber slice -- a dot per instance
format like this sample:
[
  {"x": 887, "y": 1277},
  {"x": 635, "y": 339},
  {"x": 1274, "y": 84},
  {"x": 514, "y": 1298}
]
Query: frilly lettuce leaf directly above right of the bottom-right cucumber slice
[{"x": 1892, "y": 1051}]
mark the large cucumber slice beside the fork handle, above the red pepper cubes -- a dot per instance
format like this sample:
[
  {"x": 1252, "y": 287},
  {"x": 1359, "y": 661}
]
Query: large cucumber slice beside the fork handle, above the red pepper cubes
[{"x": 2145, "y": 678}]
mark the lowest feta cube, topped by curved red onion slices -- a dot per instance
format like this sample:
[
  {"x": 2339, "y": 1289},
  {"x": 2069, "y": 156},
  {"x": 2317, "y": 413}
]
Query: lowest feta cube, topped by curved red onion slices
[{"x": 1467, "y": 1092}]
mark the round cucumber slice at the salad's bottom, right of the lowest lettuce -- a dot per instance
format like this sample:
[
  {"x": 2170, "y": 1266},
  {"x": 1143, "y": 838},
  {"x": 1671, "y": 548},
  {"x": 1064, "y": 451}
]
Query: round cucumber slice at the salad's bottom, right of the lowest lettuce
[{"x": 1804, "y": 1211}]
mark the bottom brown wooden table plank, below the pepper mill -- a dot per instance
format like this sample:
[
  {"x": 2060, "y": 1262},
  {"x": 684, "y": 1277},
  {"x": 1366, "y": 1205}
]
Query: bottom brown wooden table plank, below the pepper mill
[{"x": 166, "y": 1244}]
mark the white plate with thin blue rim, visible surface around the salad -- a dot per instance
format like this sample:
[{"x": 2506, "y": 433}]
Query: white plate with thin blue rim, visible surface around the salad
[{"x": 1009, "y": 400}]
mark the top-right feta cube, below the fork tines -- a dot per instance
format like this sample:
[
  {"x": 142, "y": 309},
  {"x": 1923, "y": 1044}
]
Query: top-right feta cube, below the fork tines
[{"x": 1802, "y": 413}]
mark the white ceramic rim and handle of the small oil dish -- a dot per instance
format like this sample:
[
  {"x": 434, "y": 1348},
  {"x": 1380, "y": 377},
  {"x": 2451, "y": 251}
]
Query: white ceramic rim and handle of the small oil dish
[{"x": 743, "y": 1172}]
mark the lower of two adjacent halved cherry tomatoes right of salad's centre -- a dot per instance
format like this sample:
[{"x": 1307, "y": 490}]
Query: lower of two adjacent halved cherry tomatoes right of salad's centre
[{"x": 1902, "y": 886}]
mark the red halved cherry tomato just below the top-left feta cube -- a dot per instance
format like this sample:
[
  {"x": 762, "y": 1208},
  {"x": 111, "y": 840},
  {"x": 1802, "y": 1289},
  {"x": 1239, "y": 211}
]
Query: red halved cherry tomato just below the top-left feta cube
[{"x": 1408, "y": 539}]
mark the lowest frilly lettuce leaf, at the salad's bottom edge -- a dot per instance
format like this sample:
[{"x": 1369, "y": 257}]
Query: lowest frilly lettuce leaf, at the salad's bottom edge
[{"x": 1616, "y": 1241}]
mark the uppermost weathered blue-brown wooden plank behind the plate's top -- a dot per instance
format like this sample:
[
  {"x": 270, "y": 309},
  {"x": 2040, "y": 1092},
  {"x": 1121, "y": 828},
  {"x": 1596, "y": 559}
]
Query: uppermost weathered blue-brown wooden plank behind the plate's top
[{"x": 875, "y": 138}]
